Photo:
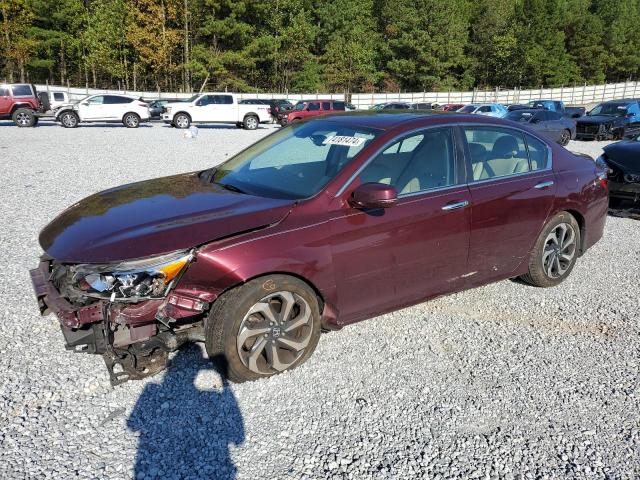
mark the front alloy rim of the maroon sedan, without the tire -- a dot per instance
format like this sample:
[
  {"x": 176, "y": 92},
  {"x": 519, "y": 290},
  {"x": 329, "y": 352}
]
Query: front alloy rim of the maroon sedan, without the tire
[{"x": 275, "y": 332}]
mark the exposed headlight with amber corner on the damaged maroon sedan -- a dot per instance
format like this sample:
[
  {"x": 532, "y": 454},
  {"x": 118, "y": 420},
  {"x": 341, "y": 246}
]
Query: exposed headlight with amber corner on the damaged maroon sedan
[{"x": 136, "y": 279}]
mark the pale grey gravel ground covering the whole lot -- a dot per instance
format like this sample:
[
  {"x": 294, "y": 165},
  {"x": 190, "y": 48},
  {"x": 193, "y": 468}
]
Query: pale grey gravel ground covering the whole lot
[{"x": 505, "y": 381}]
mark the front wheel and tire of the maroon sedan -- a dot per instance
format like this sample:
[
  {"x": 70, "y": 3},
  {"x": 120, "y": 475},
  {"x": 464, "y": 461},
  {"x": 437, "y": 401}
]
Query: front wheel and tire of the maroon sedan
[{"x": 245, "y": 311}]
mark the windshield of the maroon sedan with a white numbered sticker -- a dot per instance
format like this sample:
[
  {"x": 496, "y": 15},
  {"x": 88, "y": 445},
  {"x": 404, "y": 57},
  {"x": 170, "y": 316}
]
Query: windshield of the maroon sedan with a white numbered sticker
[{"x": 296, "y": 161}]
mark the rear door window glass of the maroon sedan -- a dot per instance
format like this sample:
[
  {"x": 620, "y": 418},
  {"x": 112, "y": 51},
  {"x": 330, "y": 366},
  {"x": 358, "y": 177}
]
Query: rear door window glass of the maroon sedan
[{"x": 496, "y": 152}]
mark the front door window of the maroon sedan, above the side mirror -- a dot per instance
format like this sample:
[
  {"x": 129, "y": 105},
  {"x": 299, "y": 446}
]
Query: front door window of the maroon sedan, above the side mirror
[{"x": 415, "y": 163}]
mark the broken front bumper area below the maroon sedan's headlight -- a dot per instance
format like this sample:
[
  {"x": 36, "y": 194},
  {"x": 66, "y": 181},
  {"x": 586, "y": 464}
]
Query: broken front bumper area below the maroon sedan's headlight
[{"x": 133, "y": 338}]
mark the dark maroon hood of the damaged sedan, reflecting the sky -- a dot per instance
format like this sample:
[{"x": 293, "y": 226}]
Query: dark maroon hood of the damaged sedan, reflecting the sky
[{"x": 154, "y": 217}]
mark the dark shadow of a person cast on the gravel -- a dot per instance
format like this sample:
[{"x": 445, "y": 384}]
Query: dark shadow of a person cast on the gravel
[{"x": 186, "y": 427}]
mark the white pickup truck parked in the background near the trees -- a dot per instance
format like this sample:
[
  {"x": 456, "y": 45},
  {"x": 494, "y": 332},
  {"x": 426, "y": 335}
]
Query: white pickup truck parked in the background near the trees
[{"x": 215, "y": 108}]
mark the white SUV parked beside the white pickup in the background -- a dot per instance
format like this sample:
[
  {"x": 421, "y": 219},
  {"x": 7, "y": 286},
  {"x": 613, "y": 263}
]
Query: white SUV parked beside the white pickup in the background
[{"x": 104, "y": 108}]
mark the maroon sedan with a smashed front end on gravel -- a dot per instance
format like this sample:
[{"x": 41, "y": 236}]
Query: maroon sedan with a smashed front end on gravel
[{"x": 319, "y": 225}]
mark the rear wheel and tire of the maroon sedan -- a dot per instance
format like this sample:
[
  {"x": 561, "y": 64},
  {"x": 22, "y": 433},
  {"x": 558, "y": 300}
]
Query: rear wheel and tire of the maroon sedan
[{"x": 555, "y": 253}]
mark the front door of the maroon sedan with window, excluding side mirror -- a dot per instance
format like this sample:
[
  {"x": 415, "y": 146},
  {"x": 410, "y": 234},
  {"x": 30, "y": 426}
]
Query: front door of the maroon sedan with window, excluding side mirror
[{"x": 388, "y": 258}]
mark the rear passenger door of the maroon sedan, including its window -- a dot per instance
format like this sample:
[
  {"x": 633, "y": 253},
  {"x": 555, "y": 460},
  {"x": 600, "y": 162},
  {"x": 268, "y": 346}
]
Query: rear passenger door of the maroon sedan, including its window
[{"x": 512, "y": 190}]
